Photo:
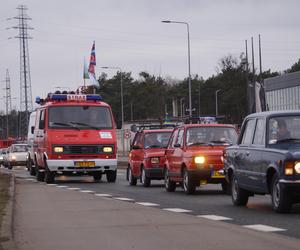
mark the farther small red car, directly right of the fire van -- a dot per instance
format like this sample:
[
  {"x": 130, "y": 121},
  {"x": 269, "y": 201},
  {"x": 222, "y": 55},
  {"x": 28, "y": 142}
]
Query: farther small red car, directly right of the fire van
[{"x": 147, "y": 156}]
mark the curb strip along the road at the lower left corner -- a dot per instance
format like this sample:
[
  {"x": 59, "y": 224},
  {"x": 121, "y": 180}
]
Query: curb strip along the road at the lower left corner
[{"x": 7, "y": 233}]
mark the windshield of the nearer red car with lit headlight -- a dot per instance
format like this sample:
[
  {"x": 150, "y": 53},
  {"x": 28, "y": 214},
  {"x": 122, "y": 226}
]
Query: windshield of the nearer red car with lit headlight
[{"x": 210, "y": 136}]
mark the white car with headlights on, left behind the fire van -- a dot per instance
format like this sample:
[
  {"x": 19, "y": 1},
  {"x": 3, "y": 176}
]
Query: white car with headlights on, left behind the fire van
[{"x": 17, "y": 155}]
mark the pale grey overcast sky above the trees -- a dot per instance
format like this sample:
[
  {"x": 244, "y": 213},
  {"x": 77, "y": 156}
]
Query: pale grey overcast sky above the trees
[{"x": 129, "y": 34}]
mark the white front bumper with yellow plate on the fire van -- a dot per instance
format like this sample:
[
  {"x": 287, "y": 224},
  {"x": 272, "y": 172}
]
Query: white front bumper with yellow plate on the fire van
[{"x": 86, "y": 165}]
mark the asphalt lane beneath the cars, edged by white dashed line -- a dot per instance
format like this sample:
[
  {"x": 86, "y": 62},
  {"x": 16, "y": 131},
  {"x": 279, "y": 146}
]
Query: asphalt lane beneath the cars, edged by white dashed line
[{"x": 208, "y": 201}]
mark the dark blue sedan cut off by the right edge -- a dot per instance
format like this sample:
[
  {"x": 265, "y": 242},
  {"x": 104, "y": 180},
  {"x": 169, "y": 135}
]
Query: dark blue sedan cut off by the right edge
[{"x": 266, "y": 159}]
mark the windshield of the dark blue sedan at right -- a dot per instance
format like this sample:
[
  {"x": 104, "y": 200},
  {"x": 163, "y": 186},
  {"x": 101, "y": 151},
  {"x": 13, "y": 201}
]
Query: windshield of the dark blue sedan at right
[{"x": 284, "y": 129}]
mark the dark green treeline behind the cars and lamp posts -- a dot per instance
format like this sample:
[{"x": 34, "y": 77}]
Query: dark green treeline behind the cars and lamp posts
[{"x": 151, "y": 97}]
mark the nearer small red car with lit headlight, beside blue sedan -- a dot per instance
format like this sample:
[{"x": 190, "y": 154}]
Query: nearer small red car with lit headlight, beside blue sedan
[{"x": 194, "y": 155}]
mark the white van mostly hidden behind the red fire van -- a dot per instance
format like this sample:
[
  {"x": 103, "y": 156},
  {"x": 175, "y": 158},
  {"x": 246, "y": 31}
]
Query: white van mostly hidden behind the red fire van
[{"x": 30, "y": 136}]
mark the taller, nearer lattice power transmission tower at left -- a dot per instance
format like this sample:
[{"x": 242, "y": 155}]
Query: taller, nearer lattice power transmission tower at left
[{"x": 26, "y": 104}]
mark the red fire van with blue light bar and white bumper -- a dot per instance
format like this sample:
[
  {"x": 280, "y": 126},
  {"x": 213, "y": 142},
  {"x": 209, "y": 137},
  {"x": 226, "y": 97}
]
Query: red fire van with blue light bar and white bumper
[{"x": 74, "y": 134}]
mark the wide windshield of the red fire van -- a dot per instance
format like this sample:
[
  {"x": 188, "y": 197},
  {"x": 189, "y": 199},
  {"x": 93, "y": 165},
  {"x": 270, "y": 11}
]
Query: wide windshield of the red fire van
[{"x": 79, "y": 117}]
